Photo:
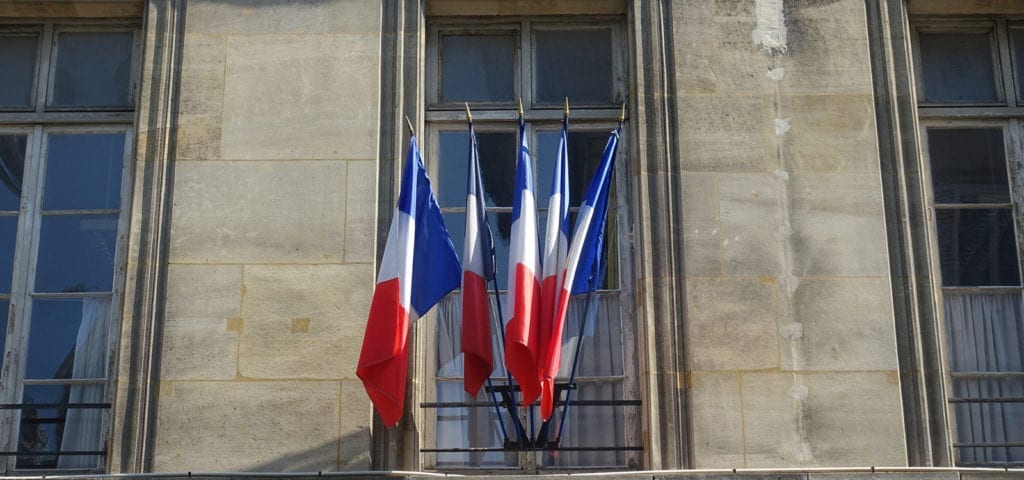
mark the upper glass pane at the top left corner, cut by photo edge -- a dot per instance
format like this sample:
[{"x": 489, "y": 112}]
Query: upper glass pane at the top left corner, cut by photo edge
[{"x": 18, "y": 56}]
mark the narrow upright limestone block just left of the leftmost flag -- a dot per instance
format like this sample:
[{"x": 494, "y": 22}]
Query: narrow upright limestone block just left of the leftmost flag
[{"x": 361, "y": 212}]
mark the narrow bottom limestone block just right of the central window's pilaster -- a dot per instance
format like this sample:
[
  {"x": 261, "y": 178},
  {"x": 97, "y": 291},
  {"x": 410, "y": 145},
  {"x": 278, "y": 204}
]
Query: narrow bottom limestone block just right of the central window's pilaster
[{"x": 718, "y": 431}]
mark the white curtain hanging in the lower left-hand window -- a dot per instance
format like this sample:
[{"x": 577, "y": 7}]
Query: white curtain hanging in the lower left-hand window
[{"x": 82, "y": 428}]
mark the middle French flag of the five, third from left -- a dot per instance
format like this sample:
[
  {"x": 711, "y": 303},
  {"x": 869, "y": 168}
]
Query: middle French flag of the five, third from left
[{"x": 523, "y": 330}]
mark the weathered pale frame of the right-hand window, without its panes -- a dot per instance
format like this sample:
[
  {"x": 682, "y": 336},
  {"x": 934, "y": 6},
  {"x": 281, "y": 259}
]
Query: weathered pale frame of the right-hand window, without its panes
[{"x": 1007, "y": 116}]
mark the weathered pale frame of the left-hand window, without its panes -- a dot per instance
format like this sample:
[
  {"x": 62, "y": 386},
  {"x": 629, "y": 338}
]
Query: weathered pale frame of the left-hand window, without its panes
[{"x": 38, "y": 123}]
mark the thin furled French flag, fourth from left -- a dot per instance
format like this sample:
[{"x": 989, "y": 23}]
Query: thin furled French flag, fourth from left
[{"x": 556, "y": 250}]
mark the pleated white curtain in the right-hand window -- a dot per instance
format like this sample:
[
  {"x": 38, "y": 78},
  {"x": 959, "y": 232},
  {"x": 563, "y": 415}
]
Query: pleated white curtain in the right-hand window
[{"x": 987, "y": 335}]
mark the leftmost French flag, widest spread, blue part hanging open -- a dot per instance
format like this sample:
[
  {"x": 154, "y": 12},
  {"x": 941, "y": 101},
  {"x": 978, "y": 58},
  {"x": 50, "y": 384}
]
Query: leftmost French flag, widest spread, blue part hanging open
[{"x": 419, "y": 268}]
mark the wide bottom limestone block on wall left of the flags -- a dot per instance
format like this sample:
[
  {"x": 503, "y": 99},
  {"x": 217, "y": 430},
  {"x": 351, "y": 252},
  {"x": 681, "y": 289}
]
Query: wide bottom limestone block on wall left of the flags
[{"x": 247, "y": 427}]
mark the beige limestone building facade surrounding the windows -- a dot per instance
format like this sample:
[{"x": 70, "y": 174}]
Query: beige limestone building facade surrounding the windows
[{"x": 769, "y": 324}]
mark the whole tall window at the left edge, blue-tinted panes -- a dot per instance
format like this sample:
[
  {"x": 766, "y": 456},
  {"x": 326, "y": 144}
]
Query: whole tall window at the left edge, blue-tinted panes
[{"x": 67, "y": 97}]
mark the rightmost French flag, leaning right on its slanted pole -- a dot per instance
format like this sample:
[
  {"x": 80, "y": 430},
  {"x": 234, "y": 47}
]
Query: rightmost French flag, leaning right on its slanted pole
[{"x": 583, "y": 266}]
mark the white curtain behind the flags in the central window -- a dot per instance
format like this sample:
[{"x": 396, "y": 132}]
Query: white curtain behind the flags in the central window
[{"x": 601, "y": 363}]
